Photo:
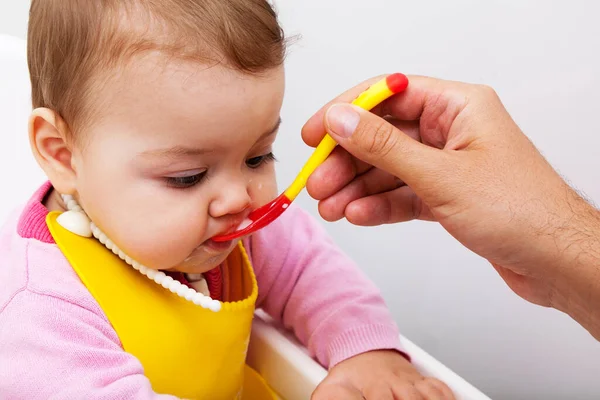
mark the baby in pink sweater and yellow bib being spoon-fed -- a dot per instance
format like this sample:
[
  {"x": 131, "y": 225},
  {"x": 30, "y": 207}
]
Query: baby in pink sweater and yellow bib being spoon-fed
[{"x": 156, "y": 120}]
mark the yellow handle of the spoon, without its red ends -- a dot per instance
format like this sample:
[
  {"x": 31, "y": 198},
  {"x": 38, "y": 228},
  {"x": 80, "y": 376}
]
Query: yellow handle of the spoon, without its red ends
[{"x": 367, "y": 100}]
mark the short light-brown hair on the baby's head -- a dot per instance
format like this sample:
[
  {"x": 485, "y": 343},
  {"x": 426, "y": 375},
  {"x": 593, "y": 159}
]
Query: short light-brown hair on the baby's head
[{"x": 74, "y": 44}]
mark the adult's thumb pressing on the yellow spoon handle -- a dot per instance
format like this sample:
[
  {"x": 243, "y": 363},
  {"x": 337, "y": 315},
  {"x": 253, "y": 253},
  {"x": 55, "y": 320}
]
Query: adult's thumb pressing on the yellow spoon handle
[{"x": 377, "y": 142}]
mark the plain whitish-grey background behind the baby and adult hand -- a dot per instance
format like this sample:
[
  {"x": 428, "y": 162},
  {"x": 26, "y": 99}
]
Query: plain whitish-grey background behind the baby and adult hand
[{"x": 543, "y": 57}]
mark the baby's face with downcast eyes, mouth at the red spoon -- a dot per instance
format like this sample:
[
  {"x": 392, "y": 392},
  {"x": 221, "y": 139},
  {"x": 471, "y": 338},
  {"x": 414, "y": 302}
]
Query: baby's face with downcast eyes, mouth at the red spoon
[{"x": 181, "y": 152}]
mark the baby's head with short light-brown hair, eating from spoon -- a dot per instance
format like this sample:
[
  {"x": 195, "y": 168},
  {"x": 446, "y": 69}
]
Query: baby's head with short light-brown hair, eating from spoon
[{"x": 159, "y": 116}]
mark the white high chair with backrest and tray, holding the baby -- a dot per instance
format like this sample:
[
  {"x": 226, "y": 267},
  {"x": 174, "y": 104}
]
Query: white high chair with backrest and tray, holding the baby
[{"x": 273, "y": 352}]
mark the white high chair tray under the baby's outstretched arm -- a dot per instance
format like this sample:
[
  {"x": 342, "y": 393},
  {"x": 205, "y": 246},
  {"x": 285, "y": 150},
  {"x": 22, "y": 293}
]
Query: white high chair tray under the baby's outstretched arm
[{"x": 293, "y": 374}]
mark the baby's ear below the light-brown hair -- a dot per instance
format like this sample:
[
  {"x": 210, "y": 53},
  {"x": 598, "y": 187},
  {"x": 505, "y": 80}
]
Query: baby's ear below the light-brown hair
[{"x": 48, "y": 140}]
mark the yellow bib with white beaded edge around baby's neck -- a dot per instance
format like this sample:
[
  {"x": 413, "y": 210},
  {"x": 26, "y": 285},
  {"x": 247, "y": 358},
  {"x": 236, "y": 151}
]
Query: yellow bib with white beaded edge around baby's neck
[{"x": 186, "y": 350}]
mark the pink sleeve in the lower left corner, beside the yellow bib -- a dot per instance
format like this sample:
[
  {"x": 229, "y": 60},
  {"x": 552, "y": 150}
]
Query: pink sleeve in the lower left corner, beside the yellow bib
[{"x": 64, "y": 351}]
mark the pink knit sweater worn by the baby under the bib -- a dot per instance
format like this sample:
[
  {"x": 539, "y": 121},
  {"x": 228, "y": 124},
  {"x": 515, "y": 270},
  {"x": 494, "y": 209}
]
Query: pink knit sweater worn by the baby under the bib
[{"x": 56, "y": 342}]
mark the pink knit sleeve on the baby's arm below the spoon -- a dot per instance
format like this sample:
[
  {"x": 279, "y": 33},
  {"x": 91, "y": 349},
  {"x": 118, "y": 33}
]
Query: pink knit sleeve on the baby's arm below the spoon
[{"x": 307, "y": 283}]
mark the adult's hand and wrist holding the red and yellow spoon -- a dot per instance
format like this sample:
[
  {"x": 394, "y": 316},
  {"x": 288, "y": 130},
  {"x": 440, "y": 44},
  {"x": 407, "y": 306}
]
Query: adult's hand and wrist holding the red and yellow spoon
[{"x": 450, "y": 152}]
